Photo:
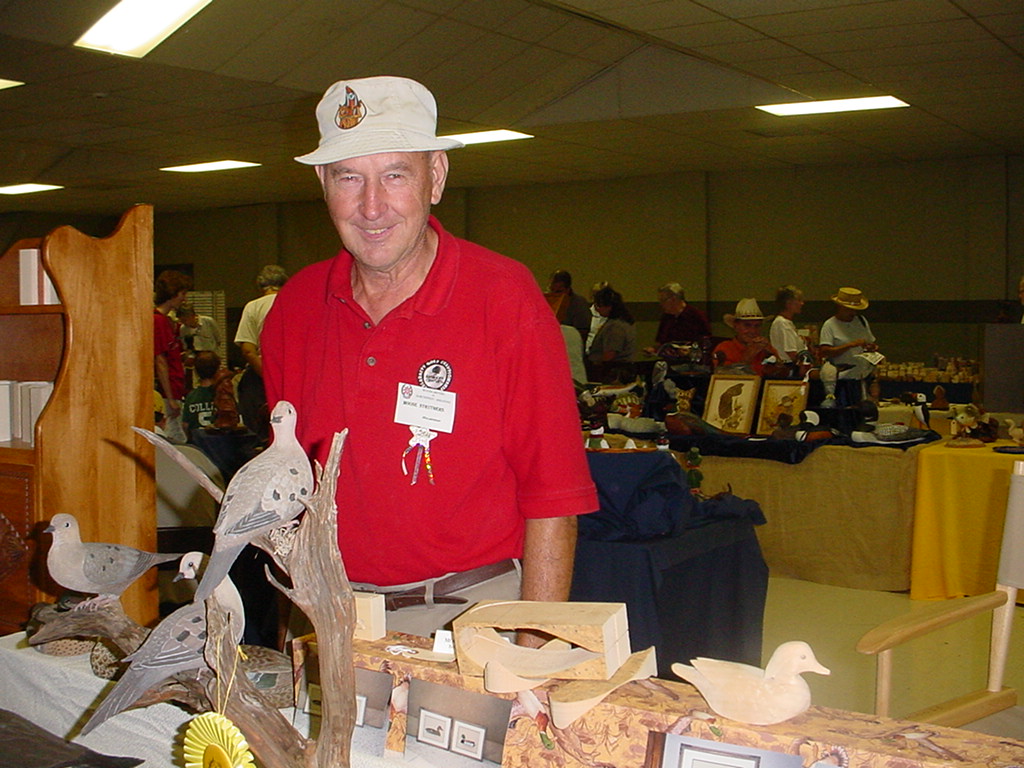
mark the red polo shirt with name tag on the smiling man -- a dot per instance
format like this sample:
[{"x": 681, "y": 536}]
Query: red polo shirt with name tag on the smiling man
[{"x": 479, "y": 327}]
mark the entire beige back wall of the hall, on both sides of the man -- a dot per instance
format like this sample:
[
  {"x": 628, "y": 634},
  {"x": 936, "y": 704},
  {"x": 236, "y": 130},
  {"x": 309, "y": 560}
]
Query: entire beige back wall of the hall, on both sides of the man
[{"x": 943, "y": 231}]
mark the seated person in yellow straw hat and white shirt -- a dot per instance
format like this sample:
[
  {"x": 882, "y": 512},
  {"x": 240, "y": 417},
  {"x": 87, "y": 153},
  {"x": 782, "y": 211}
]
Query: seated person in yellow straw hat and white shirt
[{"x": 845, "y": 338}]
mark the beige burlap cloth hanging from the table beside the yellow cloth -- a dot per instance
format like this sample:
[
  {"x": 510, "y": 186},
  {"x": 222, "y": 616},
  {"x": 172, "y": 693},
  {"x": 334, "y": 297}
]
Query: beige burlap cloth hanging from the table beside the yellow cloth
[{"x": 843, "y": 517}]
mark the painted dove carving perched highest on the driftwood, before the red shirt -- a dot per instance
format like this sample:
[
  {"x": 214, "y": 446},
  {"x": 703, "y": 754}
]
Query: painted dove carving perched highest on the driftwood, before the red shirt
[{"x": 265, "y": 495}]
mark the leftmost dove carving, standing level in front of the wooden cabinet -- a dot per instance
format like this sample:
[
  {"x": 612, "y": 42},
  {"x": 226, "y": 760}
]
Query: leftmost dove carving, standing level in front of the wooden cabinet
[{"x": 105, "y": 570}]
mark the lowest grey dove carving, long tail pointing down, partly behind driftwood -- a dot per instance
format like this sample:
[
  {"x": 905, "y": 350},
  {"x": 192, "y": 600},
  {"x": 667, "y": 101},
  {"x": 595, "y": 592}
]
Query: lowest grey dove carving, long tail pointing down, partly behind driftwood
[{"x": 176, "y": 646}]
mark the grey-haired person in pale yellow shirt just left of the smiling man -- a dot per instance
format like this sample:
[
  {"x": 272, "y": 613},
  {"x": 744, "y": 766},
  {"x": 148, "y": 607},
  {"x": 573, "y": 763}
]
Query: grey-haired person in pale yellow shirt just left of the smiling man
[{"x": 252, "y": 396}]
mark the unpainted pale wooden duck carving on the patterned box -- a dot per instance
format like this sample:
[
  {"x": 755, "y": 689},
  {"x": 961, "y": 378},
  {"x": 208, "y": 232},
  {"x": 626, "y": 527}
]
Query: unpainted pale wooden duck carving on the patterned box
[{"x": 749, "y": 695}]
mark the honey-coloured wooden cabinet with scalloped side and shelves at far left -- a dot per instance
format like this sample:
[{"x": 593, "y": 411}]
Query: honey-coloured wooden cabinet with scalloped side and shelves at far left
[{"x": 97, "y": 348}]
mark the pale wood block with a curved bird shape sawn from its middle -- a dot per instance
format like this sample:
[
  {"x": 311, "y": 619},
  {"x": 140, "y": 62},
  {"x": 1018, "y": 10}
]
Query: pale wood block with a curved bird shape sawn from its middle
[{"x": 598, "y": 637}]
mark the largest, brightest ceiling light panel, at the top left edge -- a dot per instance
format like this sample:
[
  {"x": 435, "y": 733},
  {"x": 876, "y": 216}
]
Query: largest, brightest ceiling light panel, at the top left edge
[{"x": 134, "y": 28}]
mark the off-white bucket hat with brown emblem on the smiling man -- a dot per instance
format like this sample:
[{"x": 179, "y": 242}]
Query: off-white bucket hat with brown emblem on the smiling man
[{"x": 376, "y": 115}]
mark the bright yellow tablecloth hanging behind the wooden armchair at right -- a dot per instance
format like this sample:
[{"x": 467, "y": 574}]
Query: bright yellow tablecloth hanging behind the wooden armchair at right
[{"x": 959, "y": 514}]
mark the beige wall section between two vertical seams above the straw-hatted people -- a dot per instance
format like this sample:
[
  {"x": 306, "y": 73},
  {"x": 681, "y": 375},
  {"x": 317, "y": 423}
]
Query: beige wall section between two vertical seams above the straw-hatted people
[{"x": 911, "y": 232}]
